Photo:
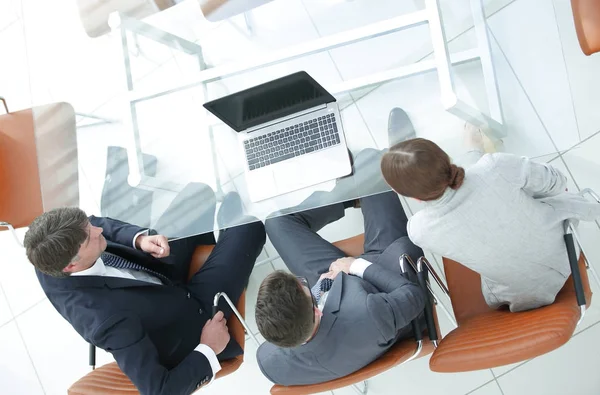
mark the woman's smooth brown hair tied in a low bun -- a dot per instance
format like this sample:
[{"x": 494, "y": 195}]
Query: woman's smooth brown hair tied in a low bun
[{"x": 420, "y": 169}]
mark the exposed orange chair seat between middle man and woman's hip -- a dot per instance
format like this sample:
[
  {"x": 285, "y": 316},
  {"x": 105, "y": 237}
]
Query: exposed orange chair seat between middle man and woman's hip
[{"x": 465, "y": 291}]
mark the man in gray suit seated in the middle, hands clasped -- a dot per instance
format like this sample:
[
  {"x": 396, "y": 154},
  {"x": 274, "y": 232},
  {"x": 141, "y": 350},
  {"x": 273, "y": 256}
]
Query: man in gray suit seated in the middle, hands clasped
[{"x": 335, "y": 314}]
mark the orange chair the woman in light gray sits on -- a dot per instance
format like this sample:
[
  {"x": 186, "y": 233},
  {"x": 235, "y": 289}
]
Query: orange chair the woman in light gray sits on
[{"x": 487, "y": 338}]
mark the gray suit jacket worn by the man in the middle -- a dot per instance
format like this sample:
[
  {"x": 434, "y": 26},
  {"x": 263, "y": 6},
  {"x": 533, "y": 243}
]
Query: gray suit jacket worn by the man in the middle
[{"x": 362, "y": 318}]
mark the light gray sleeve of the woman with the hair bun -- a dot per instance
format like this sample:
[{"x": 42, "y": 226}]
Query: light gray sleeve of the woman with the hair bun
[{"x": 537, "y": 179}]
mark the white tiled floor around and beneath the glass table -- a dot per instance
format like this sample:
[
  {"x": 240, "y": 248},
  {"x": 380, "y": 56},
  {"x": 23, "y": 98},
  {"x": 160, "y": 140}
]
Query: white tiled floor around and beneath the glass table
[{"x": 550, "y": 97}]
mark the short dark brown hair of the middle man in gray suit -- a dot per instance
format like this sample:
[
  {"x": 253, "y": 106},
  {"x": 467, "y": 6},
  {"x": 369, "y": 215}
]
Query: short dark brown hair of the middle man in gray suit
[{"x": 284, "y": 312}]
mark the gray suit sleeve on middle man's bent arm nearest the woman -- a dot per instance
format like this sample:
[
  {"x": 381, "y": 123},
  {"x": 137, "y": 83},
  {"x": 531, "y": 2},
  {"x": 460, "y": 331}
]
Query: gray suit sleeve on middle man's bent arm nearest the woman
[{"x": 399, "y": 302}]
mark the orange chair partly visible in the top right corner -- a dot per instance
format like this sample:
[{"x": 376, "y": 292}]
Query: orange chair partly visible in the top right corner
[{"x": 586, "y": 15}]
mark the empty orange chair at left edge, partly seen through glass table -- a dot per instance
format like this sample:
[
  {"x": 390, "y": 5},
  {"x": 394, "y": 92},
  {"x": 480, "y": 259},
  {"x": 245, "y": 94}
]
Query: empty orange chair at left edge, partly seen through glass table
[{"x": 38, "y": 162}]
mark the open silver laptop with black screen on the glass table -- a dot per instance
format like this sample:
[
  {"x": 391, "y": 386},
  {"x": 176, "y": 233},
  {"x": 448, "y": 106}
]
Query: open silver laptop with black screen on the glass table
[{"x": 290, "y": 133}]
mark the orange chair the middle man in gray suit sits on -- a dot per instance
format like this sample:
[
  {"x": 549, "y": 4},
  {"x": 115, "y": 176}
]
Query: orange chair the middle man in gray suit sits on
[{"x": 401, "y": 352}]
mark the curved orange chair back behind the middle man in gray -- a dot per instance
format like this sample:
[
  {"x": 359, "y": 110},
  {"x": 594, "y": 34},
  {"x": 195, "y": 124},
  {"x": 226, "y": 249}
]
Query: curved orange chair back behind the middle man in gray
[{"x": 396, "y": 355}]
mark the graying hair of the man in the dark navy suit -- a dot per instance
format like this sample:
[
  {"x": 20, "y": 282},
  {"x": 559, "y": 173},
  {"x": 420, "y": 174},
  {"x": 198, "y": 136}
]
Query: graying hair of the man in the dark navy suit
[{"x": 54, "y": 238}]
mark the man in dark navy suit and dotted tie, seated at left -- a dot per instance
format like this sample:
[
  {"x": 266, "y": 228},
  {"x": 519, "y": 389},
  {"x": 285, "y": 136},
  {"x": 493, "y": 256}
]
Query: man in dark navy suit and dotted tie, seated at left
[{"x": 124, "y": 289}]
